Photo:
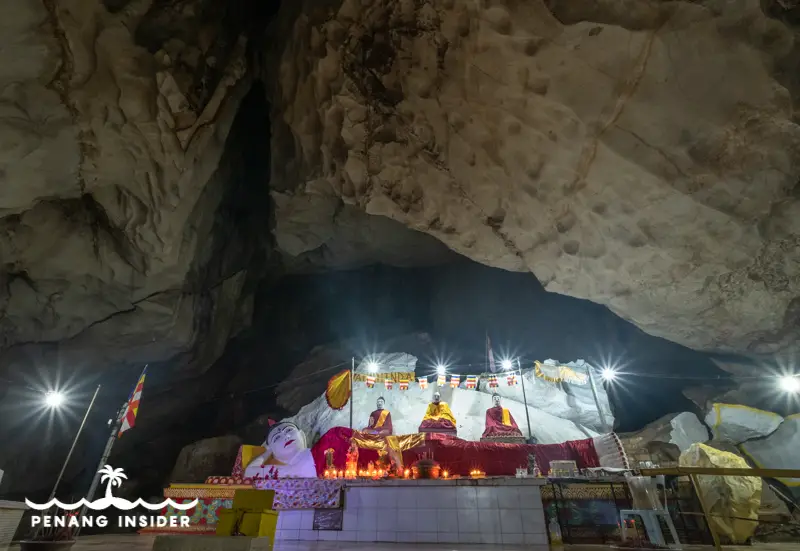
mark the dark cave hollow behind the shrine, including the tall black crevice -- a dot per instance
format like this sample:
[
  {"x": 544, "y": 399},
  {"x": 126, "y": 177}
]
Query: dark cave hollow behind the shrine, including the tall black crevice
[{"x": 458, "y": 304}]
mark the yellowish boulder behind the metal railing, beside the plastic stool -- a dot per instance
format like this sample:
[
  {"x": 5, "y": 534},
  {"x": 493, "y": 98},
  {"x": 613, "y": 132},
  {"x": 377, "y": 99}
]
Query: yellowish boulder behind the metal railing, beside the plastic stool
[{"x": 731, "y": 499}]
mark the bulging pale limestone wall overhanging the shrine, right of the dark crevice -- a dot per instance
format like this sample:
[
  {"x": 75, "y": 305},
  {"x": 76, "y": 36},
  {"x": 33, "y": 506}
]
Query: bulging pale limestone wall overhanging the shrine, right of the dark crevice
[{"x": 638, "y": 154}]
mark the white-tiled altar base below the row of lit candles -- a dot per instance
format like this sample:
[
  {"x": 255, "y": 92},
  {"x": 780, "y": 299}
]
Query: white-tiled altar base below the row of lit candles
[{"x": 495, "y": 510}]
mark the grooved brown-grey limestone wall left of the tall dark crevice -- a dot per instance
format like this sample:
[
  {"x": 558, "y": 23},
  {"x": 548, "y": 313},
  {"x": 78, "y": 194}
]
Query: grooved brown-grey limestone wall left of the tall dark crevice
[{"x": 113, "y": 118}]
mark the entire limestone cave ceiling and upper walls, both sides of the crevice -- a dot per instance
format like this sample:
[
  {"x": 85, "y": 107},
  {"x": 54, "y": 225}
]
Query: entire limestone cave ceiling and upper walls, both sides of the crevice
[{"x": 639, "y": 154}]
